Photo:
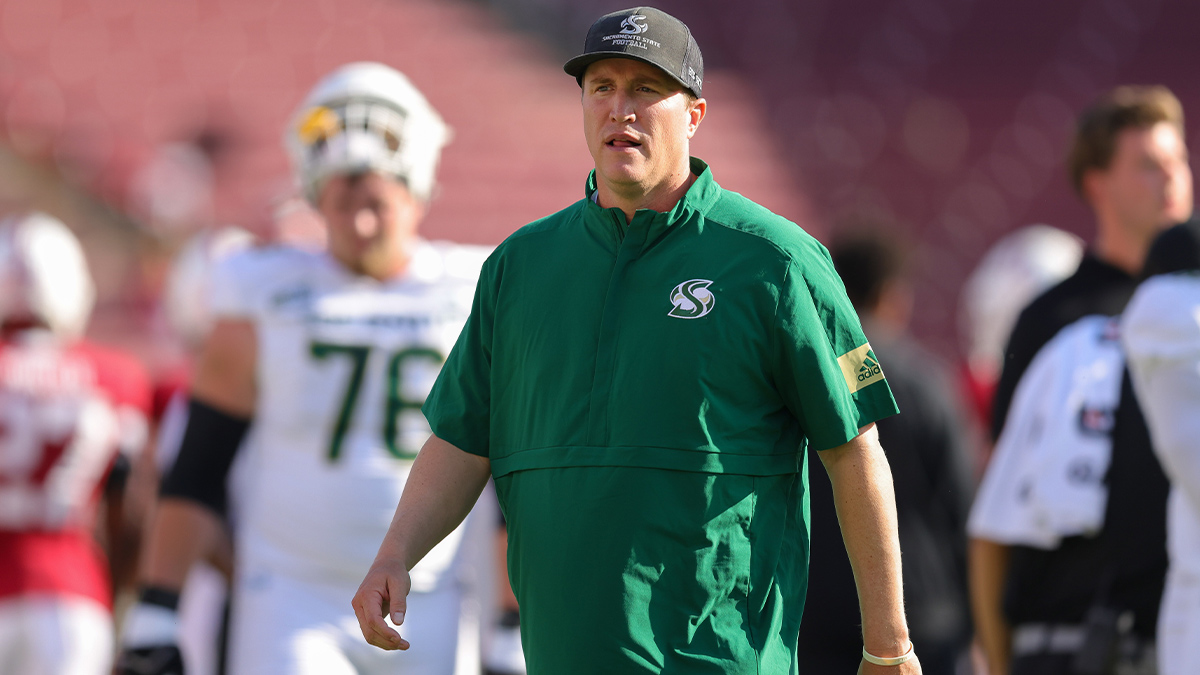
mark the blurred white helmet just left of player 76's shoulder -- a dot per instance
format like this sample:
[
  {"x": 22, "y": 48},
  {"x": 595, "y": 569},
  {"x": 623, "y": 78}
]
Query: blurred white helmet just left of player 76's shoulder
[{"x": 185, "y": 297}]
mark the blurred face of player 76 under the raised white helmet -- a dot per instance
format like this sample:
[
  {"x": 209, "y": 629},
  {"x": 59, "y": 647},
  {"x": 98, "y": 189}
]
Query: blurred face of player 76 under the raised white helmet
[{"x": 373, "y": 223}]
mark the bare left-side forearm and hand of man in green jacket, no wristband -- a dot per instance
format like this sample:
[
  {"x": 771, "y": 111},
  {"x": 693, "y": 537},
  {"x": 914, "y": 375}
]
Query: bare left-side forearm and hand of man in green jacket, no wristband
[{"x": 440, "y": 493}]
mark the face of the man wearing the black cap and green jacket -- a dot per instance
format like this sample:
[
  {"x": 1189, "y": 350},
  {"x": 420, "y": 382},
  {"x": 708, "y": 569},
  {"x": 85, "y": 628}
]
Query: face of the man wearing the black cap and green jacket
[{"x": 638, "y": 122}]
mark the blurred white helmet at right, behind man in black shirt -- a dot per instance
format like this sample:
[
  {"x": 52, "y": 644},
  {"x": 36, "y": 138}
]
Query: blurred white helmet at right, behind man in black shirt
[{"x": 1015, "y": 272}]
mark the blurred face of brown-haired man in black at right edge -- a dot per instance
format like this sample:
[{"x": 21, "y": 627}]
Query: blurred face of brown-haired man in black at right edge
[{"x": 1149, "y": 183}]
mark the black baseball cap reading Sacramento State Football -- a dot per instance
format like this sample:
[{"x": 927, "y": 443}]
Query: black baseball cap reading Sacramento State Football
[{"x": 647, "y": 35}]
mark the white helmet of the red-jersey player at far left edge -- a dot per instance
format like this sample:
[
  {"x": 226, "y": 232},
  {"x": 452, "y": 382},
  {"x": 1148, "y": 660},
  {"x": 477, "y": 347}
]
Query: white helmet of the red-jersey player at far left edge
[{"x": 44, "y": 276}]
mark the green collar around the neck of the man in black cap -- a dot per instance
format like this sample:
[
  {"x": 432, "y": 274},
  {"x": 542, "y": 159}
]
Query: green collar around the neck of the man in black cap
[{"x": 652, "y": 225}]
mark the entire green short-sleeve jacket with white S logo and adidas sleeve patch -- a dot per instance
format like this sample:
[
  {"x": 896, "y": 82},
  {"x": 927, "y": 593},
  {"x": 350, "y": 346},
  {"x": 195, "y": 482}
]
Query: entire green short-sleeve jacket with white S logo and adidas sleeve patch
[{"x": 645, "y": 393}]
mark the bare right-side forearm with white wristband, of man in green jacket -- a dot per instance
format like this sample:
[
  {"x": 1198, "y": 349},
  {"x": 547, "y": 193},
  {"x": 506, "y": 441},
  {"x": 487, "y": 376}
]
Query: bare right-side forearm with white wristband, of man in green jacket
[{"x": 866, "y": 504}]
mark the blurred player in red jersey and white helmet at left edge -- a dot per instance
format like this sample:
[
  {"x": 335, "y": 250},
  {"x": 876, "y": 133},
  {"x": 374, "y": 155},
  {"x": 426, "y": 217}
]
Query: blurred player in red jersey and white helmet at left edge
[{"x": 70, "y": 411}]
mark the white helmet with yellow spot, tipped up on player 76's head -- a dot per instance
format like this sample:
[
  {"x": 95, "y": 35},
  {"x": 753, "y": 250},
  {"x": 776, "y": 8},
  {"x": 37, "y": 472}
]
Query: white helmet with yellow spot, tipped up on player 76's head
[{"x": 367, "y": 117}]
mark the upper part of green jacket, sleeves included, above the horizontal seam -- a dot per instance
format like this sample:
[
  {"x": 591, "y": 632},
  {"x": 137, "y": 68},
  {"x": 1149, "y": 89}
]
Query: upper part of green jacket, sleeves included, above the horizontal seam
[{"x": 715, "y": 338}]
